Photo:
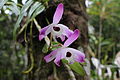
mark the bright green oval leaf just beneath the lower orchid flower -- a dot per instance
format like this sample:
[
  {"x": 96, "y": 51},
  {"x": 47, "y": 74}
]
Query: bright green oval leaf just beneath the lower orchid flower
[{"x": 77, "y": 68}]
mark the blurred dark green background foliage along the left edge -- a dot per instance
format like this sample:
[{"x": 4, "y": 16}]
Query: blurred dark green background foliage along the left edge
[{"x": 10, "y": 56}]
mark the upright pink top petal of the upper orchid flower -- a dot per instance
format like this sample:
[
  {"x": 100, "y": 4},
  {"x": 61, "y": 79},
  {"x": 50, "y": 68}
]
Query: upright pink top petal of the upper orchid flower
[{"x": 58, "y": 14}]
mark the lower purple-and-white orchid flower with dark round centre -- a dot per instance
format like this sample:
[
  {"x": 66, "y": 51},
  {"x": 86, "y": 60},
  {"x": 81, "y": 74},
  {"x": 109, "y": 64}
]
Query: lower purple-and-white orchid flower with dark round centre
[{"x": 70, "y": 54}]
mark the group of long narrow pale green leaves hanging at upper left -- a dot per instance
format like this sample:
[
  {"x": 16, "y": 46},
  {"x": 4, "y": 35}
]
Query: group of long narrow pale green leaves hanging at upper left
[{"x": 35, "y": 9}]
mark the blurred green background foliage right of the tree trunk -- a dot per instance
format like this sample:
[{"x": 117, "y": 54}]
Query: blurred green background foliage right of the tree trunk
[{"x": 108, "y": 12}]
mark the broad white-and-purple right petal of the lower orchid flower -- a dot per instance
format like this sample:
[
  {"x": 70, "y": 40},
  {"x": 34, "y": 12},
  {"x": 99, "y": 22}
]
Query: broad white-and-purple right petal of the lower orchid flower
[{"x": 78, "y": 55}]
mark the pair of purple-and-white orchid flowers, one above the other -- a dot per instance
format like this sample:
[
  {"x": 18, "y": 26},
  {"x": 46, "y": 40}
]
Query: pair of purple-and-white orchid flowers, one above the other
[{"x": 62, "y": 31}]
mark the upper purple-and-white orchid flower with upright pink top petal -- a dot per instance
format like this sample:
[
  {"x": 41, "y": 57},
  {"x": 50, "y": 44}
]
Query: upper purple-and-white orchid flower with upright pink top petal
[{"x": 57, "y": 30}]
